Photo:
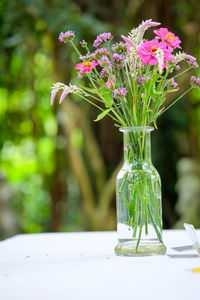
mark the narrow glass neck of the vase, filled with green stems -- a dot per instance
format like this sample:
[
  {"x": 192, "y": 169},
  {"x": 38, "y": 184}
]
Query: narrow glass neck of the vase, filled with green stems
[{"x": 137, "y": 146}]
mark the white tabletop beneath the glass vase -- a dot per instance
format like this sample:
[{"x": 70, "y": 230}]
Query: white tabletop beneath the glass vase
[{"x": 62, "y": 266}]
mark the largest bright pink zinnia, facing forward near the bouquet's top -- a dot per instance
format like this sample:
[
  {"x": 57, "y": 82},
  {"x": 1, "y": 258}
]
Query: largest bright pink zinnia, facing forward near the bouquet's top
[{"x": 148, "y": 51}]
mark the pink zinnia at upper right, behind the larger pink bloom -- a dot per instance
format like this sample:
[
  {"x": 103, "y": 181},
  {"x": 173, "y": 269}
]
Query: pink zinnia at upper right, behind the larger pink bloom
[{"x": 168, "y": 37}]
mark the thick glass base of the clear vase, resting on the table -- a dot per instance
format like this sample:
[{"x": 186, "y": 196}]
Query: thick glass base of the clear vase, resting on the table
[{"x": 144, "y": 249}]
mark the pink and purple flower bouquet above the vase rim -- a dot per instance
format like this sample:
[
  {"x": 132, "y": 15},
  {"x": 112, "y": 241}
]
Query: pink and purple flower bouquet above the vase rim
[{"x": 129, "y": 80}]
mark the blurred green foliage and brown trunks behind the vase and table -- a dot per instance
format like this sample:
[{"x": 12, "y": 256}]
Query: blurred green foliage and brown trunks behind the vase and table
[{"x": 57, "y": 166}]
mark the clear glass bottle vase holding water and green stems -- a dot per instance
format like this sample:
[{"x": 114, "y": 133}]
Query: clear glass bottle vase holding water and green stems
[{"x": 138, "y": 195}]
